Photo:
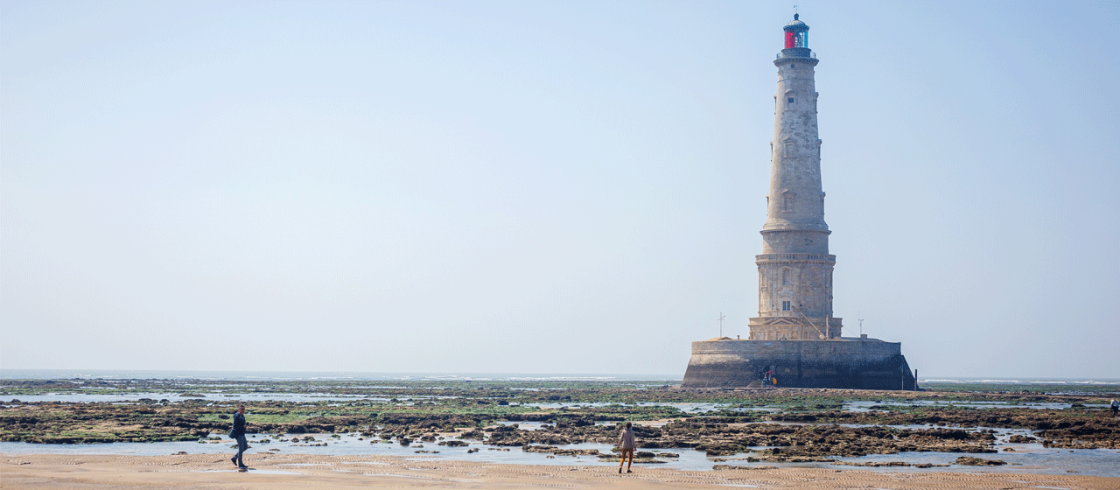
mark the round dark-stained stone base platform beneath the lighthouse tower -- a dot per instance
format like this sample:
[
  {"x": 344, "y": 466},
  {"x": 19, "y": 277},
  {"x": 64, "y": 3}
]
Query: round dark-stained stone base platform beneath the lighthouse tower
[{"x": 845, "y": 363}]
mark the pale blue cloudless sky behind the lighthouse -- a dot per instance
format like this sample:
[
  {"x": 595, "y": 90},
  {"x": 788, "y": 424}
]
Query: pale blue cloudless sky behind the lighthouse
[{"x": 545, "y": 187}]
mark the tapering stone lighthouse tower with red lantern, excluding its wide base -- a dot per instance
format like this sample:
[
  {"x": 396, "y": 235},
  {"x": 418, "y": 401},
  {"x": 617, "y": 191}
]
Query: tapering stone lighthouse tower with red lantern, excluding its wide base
[{"x": 796, "y": 269}]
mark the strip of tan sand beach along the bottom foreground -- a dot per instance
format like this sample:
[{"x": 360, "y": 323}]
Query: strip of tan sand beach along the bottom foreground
[{"x": 302, "y": 472}]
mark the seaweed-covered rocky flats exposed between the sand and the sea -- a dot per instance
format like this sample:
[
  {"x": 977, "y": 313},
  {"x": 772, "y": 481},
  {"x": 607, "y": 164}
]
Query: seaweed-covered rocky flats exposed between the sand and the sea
[{"x": 771, "y": 426}]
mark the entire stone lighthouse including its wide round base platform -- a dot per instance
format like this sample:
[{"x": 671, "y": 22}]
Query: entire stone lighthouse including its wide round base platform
[{"x": 796, "y": 337}]
